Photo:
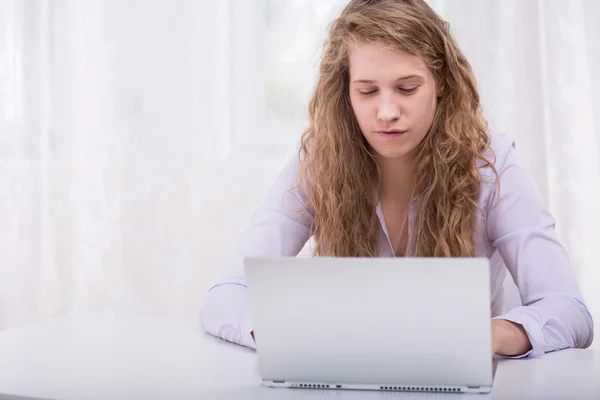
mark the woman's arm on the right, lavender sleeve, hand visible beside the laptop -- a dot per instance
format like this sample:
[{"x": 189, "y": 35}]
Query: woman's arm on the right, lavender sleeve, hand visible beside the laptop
[{"x": 554, "y": 315}]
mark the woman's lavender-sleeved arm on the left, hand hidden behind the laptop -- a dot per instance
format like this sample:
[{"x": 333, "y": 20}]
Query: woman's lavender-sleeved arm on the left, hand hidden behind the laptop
[{"x": 279, "y": 228}]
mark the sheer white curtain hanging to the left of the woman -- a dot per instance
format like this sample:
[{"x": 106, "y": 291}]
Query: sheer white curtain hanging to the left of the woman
[{"x": 120, "y": 181}]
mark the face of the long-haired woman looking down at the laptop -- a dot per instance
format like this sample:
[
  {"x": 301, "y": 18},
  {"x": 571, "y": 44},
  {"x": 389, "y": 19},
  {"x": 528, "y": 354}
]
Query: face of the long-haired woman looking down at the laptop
[{"x": 394, "y": 98}]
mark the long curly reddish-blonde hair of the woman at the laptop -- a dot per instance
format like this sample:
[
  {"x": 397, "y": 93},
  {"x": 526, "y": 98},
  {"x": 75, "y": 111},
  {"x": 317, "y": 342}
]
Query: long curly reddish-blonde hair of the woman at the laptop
[{"x": 338, "y": 171}]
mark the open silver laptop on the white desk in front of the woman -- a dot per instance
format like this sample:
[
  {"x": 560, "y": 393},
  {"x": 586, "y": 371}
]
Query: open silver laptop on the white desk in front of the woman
[{"x": 391, "y": 324}]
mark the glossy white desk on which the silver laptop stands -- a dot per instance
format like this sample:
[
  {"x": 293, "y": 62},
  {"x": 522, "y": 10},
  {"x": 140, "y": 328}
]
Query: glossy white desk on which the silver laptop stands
[{"x": 127, "y": 357}]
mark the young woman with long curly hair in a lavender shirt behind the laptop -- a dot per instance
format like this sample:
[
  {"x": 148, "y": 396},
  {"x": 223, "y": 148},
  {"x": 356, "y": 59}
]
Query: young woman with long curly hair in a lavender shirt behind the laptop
[{"x": 397, "y": 161}]
